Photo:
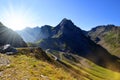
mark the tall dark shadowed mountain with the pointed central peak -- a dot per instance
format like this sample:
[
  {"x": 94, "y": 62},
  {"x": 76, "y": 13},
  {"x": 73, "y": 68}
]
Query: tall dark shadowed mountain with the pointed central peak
[{"x": 67, "y": 37}]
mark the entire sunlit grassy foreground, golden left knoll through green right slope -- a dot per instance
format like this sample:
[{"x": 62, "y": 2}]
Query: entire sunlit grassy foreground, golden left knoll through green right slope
[{"x": 33, "y": 65}]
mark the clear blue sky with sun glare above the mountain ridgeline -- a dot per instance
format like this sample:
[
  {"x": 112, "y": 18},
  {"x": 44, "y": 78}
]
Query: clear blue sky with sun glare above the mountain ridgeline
[{"x": 86, "y": 14}]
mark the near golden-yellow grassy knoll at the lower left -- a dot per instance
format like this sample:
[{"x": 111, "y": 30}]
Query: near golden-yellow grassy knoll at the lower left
[{"x": 25, "y": 67}]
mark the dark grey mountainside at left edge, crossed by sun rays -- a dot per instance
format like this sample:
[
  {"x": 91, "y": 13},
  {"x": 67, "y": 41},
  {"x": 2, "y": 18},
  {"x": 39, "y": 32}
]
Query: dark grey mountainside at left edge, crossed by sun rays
[{"x": 8, "y": 36}]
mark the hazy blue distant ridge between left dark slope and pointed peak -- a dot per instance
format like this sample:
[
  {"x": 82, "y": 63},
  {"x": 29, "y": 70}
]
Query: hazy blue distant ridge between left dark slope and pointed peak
[{"x": 35, "y": 34}]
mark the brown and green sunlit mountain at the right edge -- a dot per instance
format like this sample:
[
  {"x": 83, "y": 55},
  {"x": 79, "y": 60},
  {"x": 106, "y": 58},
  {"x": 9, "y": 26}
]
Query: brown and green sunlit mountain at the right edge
[{"x": 108, "y": 36}]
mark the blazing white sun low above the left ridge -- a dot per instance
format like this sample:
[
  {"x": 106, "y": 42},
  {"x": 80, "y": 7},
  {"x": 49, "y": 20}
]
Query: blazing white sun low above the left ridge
[{"x": 15, "y": 21}]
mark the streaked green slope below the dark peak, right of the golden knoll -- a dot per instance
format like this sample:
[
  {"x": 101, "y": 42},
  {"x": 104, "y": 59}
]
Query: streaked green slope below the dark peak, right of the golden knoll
[{"x": 88, "y": 70}]
